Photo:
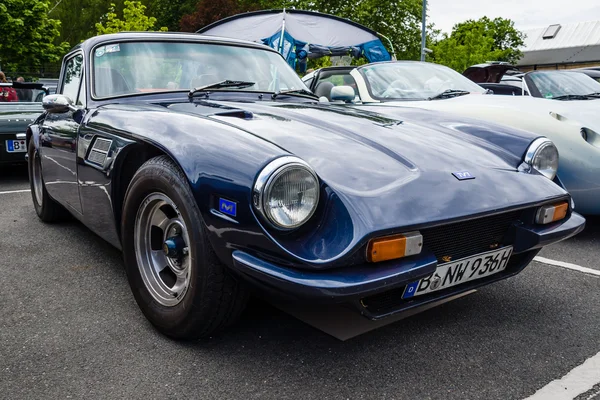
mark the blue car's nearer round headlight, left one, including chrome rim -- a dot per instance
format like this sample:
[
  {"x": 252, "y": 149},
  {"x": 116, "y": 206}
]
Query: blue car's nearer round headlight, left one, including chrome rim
[{"x": 287, "y": 192}]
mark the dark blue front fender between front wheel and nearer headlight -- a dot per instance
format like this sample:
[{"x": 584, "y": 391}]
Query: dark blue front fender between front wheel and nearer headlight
[{"x": 218, "y": 160}]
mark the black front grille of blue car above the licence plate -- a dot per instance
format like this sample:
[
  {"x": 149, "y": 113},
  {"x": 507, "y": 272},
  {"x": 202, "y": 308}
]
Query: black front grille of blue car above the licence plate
[{"x": 467, "y": 238}]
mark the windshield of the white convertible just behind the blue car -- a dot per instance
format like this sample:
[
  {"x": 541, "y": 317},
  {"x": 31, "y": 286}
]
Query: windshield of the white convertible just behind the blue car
[{"x": 414, "y": 80}]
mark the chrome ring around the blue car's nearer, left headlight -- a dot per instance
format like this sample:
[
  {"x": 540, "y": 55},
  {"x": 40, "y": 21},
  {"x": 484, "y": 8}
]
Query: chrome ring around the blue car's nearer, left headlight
[{"x": 266, "y": 178}]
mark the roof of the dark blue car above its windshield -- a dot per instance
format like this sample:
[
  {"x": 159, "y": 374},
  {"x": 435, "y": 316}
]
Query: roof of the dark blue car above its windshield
[{"x": 165, "y": 36}]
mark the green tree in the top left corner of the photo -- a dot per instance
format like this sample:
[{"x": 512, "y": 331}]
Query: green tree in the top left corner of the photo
[{"x": 28, "y": 36}]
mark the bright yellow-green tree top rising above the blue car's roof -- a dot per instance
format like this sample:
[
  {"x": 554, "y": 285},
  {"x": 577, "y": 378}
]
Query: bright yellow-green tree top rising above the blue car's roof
[{"x": 134, "y": 19}]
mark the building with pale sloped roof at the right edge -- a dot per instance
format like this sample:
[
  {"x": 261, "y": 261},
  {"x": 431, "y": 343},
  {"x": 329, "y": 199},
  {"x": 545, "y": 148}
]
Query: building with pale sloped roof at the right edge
[{"x": 562, "y": 46}]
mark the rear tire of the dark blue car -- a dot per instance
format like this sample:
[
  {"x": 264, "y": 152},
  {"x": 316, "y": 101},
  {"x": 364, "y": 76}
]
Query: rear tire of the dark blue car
[{"x": 46, "y": 208}]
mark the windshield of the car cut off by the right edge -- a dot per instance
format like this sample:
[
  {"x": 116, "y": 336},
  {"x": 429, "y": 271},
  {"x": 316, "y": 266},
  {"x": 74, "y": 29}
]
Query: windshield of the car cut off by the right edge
[{"x": 552, "y": 84}]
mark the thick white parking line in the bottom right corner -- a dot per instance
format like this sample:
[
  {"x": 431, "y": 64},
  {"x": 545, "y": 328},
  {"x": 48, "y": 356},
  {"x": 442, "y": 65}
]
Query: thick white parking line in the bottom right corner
[{"x": 580, "y": 380}]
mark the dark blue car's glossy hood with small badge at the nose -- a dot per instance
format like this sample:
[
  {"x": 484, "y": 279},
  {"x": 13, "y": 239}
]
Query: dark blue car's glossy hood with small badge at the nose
[{"x": 394, "y": 166}]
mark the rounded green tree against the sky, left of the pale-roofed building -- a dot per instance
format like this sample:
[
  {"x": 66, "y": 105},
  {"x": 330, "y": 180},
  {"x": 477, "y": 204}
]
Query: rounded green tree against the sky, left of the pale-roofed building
[{"x": 473, "y": 42}]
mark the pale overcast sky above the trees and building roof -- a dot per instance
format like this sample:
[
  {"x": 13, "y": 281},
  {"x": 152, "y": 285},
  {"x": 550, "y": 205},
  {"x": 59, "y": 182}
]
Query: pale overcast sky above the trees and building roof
[{"x": 525, "y": 13}]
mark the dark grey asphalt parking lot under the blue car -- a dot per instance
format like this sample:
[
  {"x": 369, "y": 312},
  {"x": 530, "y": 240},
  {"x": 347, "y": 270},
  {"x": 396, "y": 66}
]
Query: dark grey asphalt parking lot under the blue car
[{"x": 69, "y": 328}]
